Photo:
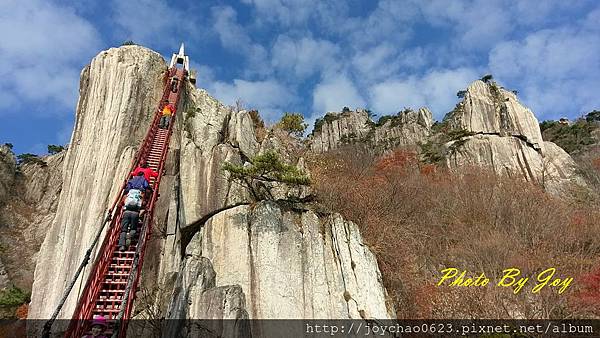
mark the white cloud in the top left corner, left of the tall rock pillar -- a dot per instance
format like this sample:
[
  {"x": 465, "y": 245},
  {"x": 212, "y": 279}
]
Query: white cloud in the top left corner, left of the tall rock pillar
[{"x": 41, "y": 50}]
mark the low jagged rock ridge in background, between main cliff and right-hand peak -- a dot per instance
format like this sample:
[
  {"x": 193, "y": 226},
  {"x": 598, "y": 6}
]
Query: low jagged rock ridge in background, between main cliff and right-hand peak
[{"x": 408, "y": 128}]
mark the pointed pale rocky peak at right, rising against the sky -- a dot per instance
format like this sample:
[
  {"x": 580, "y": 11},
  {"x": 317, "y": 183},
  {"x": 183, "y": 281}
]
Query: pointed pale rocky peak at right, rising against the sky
[{"x": 490, "y": 109}]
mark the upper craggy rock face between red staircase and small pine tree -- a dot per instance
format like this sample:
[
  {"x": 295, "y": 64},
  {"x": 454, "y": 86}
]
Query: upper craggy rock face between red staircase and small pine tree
[{"x": 211, "y": 135}]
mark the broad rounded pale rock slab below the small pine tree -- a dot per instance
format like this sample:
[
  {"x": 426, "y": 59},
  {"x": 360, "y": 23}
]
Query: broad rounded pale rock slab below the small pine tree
[{"x": 294, "y": 264}]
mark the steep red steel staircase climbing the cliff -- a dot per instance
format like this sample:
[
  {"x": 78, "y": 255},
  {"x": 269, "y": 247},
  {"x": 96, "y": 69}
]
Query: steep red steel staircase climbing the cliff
[{"x": 111, "y": 286}]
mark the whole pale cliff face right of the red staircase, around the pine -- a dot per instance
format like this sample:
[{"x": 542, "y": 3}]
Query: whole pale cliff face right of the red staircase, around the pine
[{"x": 243, "y": 262}]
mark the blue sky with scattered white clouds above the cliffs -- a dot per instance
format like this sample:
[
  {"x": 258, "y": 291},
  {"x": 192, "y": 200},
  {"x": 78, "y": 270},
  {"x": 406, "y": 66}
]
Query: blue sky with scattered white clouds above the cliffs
[{"x": 303, "y": 56}]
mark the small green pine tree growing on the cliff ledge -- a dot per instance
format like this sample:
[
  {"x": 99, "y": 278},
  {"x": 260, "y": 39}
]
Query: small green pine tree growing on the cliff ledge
[{"x": 264, "y": 170}]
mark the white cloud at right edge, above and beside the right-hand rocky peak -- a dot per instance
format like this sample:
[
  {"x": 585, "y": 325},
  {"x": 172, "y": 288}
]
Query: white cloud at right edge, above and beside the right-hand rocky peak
[{"x": 556, "y": 71}]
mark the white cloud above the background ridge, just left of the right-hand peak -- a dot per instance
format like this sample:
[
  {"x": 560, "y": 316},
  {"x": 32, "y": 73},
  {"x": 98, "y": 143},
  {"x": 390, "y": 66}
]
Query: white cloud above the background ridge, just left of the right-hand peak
[{"x": 435, "y": 90}]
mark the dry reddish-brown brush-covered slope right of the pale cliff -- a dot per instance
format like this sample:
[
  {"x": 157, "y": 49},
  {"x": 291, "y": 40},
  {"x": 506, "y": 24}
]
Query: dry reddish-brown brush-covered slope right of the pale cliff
[{"x": 420, "y": 219}]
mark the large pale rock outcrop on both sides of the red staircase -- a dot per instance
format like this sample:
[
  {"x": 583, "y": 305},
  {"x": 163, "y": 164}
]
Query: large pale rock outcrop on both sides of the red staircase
[{"x": 183, "y": 274}]
